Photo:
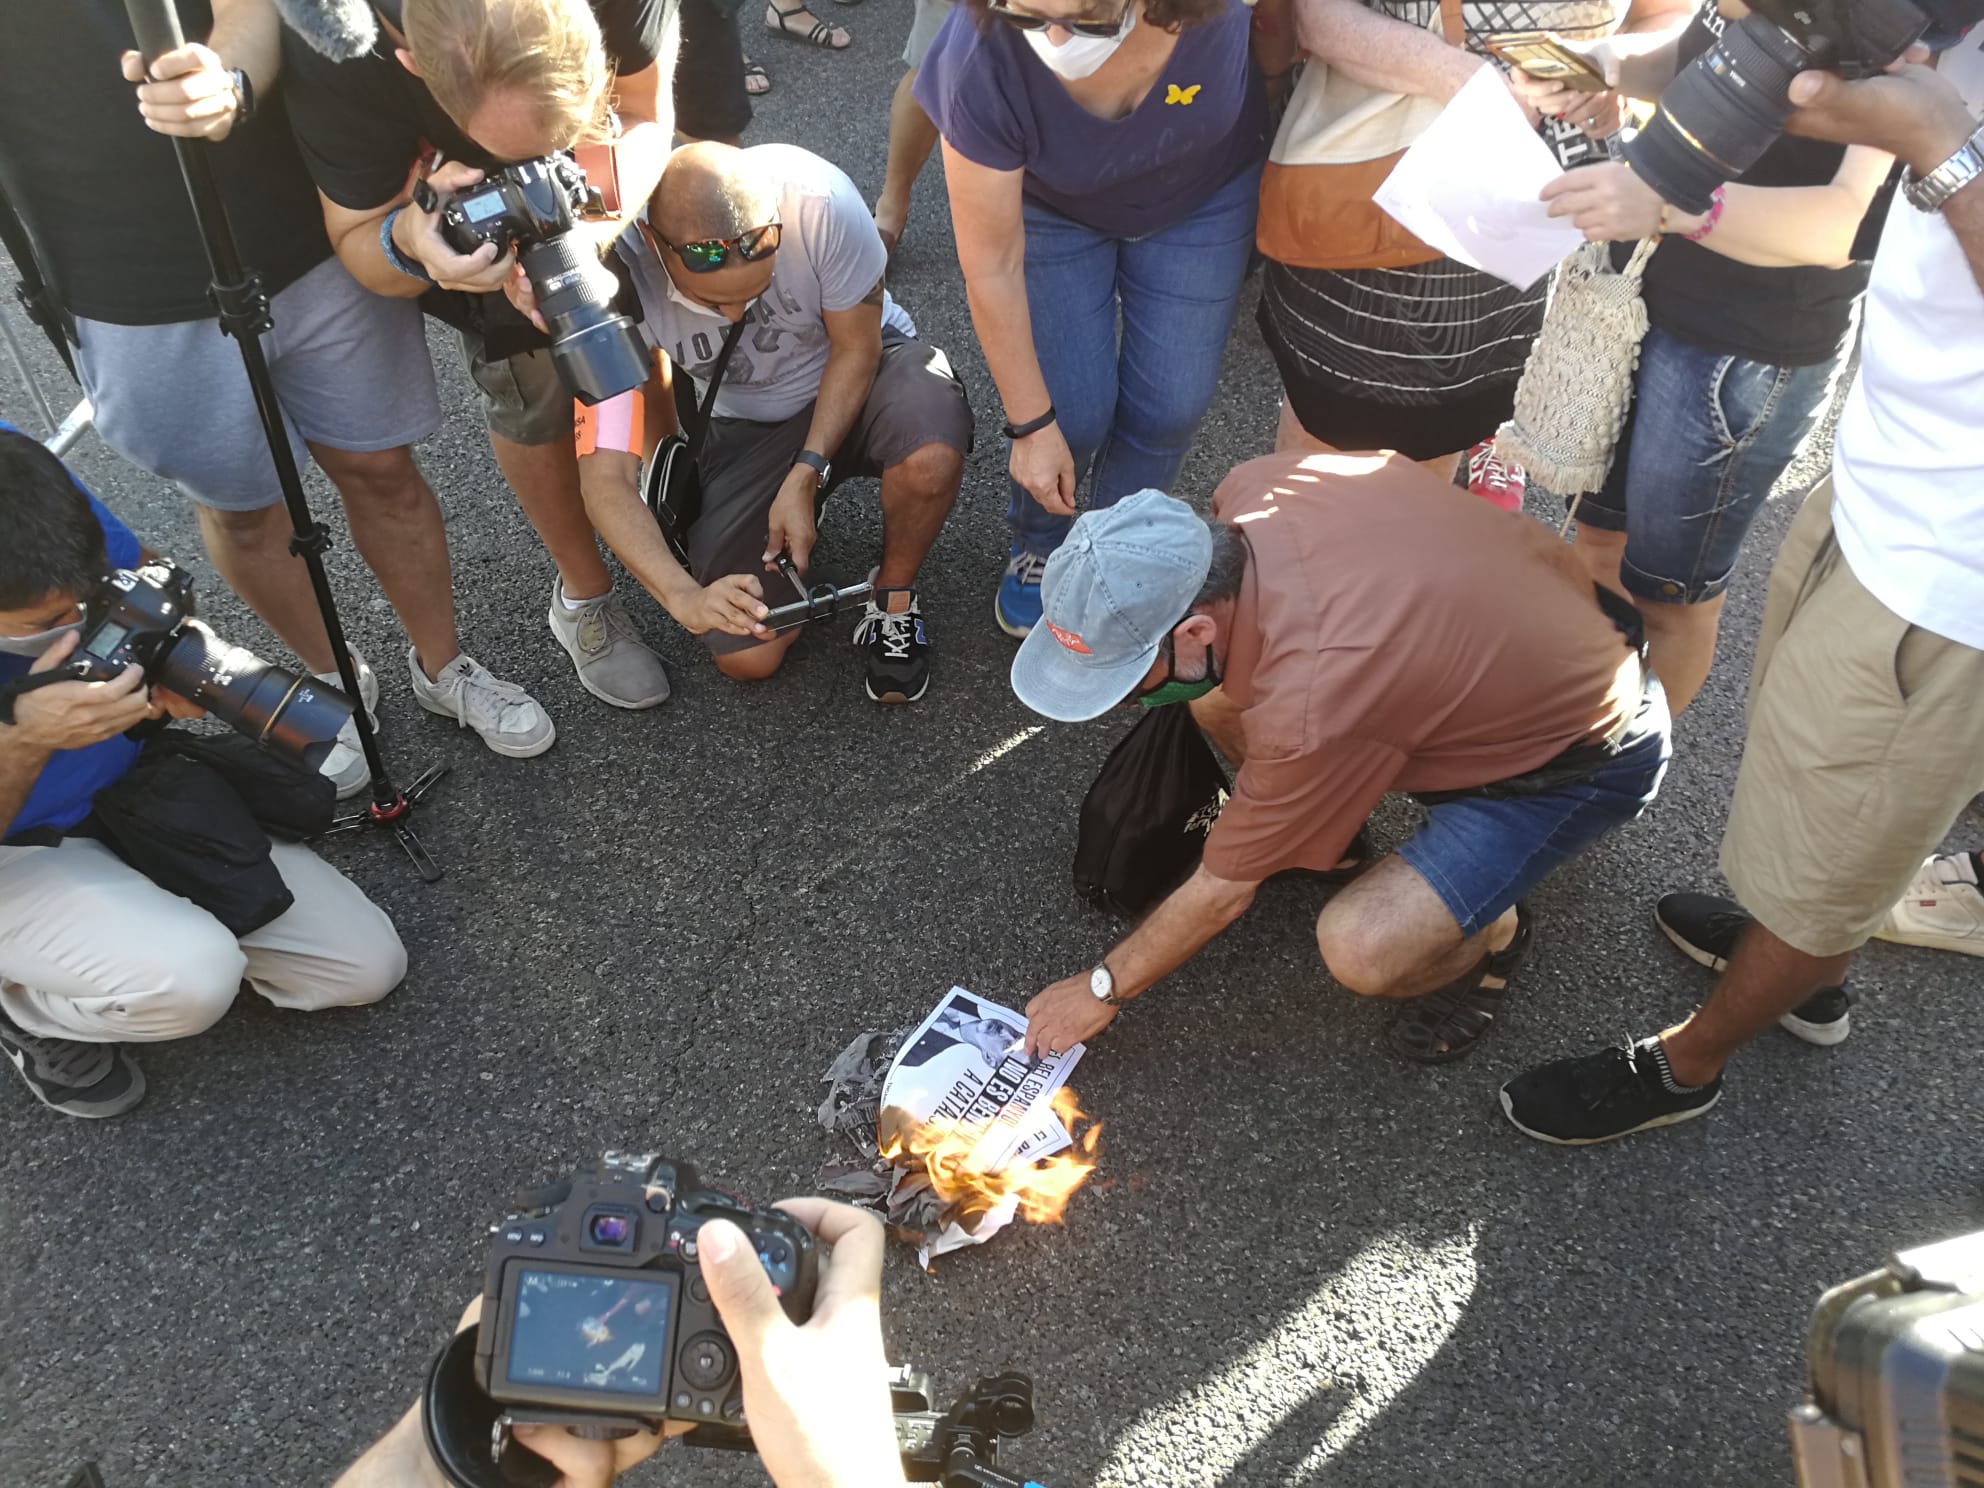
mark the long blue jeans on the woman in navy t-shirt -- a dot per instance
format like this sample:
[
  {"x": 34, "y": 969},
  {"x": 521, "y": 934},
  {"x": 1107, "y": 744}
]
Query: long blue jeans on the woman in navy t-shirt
[{"x": 1128, "y": 408}]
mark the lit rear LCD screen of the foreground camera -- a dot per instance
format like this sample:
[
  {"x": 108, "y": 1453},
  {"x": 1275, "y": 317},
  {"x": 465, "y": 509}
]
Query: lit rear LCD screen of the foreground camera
[{"x": 586, "y": 1332}]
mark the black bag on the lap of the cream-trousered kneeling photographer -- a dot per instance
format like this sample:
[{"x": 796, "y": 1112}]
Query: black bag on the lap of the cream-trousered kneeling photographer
[{"x": 195, "y": 816}]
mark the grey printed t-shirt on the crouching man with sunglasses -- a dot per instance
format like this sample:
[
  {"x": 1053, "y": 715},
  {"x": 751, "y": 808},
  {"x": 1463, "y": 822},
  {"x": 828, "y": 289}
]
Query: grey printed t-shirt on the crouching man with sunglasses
[{"x": 830, "y": 257}]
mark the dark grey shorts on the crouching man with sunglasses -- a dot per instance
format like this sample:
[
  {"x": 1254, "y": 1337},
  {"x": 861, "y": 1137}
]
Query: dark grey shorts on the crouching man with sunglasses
[{"x": 916, "y": 402}]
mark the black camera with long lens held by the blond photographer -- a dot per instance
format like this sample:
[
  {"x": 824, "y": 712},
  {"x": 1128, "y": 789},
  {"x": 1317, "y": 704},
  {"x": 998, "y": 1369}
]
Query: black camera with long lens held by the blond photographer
[{"x": 535, "y": 209}]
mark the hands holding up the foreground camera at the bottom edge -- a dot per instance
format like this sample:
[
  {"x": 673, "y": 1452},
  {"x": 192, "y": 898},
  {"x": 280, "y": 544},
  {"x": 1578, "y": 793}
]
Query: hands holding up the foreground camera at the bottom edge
[{"x": 816, "y": 1392}]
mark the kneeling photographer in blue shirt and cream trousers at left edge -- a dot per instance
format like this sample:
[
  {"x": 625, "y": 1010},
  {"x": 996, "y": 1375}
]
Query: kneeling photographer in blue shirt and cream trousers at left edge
[{"x": 92, "y": 951}]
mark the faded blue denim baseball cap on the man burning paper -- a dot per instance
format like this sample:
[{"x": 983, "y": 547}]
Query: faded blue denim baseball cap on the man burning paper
[{"x": 1108, "y": 600}]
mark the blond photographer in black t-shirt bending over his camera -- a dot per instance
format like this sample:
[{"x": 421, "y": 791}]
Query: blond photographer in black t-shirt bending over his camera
[{"x": 451, "y": 92}]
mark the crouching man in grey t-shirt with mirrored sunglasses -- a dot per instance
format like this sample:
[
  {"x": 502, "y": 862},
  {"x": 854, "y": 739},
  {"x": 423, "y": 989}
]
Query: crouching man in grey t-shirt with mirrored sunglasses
[{"x": 761, "y": 271}]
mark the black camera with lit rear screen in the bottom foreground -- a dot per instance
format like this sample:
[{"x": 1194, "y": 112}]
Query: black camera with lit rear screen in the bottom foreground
[{"x": 596, "y": 1318}]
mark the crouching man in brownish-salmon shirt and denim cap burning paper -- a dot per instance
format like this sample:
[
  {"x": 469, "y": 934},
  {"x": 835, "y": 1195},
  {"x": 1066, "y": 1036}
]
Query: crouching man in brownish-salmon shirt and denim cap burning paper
[{"x": 1350, "y": 626}]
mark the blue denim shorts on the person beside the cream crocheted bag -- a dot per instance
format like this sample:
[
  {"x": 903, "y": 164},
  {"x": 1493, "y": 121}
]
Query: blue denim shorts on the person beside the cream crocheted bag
[{"x": 1705, "y": 441}]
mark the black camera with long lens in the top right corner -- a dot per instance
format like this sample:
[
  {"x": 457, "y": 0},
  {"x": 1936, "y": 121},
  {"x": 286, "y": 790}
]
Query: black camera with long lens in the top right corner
[{"x": 1723, "y": 112}]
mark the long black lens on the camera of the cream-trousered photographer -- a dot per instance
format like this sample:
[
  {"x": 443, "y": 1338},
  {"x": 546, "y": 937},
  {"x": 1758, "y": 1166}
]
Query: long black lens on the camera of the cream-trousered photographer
[{"x": 291, "y": 715}]
